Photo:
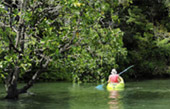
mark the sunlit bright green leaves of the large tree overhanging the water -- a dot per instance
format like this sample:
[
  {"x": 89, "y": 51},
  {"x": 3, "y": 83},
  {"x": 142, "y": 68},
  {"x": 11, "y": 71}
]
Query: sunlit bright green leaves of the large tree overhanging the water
[{"x": 78, "y": 37}]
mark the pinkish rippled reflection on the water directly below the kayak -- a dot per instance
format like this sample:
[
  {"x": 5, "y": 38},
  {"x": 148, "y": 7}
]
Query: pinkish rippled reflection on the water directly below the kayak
[{"x": 115, "y": 100}]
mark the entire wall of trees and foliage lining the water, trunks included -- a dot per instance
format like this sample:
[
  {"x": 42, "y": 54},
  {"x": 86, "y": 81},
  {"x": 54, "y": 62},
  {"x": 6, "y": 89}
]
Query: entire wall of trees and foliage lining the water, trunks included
[{"x": 82, "y": 41}]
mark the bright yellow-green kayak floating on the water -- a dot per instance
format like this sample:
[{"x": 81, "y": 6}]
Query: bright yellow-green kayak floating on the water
[{"x": 116, "y": 86}]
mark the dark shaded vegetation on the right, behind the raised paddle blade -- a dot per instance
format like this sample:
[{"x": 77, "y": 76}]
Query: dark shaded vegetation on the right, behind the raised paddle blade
[{"x": 145, "y": 24}]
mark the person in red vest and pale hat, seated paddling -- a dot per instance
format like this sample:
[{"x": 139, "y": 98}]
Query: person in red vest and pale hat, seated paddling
[{"x": 114, "y": 77}]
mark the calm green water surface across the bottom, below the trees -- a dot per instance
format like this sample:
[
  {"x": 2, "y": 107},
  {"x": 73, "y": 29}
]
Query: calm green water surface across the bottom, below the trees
[{"x": 152, "y": 94}]
